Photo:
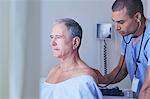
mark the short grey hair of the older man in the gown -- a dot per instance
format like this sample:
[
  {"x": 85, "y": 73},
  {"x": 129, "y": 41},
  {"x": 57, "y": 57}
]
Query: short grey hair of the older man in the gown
[{"x": 73, "y": 27}]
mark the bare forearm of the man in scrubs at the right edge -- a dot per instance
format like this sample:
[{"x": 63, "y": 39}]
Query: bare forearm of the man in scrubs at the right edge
[{"x": 145, "y": 91}]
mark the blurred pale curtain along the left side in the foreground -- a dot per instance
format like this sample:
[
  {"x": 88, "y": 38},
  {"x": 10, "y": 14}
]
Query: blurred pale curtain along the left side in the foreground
[{"x": 19, "y": 49}]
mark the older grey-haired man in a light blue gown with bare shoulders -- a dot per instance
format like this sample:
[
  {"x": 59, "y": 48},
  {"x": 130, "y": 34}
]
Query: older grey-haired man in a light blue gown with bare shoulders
[{"x": 71, "y": 78}]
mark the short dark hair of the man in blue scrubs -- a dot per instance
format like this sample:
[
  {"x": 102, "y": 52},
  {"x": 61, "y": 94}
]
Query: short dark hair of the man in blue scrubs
[{"x": 132, "y": 6}]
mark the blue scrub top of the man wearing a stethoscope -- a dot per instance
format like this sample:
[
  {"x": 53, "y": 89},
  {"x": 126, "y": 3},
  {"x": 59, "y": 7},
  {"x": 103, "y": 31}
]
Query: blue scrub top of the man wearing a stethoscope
[{"x": 132, "y": 54}]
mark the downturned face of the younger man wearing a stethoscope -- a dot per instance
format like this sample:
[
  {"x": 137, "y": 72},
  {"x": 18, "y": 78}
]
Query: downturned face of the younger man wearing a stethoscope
[{"x": 124, "y": 24}]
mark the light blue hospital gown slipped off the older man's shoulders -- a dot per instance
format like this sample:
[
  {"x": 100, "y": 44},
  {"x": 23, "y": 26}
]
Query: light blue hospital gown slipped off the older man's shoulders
[{"x": 80, "y": 87}]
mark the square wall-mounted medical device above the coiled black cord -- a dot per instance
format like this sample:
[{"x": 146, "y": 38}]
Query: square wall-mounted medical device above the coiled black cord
[{"x": 104, "y": 31}]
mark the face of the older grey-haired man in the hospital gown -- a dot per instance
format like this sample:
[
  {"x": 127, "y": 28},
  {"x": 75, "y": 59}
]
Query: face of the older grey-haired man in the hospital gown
[{"x": 61, "y": 42}]
